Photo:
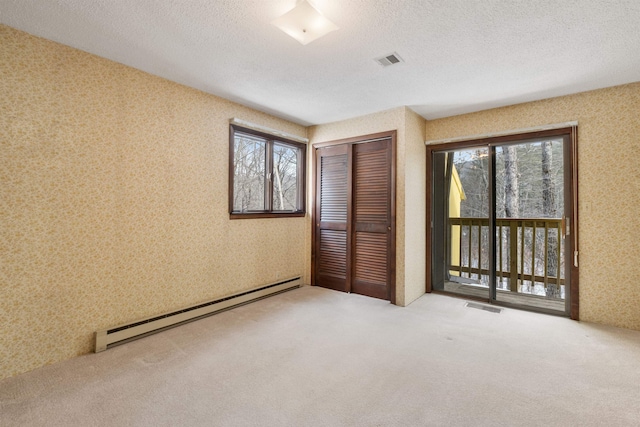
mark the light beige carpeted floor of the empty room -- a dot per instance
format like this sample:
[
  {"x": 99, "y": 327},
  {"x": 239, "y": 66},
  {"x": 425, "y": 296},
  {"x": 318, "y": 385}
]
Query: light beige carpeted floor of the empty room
[{"x": 314, "y": 357}]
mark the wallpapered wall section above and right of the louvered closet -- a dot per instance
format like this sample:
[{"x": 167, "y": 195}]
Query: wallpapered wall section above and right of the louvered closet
[{"x": 410, "y": 198}]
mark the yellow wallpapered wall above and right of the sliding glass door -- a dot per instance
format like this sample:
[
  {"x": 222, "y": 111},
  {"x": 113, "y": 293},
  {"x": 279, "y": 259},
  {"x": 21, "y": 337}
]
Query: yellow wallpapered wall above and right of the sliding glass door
[{"x": 609, "y": 188}]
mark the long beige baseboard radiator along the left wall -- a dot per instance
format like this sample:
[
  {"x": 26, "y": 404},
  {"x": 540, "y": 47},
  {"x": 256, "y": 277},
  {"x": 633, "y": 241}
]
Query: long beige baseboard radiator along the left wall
[{"x": 116, "y": 335}]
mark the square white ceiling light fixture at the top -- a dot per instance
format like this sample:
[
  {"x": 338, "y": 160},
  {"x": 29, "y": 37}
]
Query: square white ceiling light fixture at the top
[{"x": 304, "y": 23}]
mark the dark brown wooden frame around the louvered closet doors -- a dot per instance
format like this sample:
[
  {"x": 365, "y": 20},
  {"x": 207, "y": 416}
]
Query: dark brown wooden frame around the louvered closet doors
[{"x": 392, "y": 236}]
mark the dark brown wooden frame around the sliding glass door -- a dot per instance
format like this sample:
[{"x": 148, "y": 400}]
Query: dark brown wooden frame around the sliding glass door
[{"x": 570, "y": 183}]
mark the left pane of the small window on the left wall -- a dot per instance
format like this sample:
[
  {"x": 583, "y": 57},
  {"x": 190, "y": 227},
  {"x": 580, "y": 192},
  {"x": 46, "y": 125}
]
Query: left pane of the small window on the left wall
[{"x": 249, "y": 172}]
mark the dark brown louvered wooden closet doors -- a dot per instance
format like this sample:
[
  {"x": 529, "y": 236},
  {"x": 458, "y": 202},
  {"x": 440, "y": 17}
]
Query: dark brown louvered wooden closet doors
[{"x": 354, "y": 217}]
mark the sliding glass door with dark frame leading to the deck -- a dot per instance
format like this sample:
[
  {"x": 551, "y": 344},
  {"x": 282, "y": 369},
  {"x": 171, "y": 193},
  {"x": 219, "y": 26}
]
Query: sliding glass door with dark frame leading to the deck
[{"x": 501, "y": 215}]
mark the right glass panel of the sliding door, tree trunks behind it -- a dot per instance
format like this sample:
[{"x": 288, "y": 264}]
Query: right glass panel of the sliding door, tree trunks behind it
[{"x": 530, "y": 212}]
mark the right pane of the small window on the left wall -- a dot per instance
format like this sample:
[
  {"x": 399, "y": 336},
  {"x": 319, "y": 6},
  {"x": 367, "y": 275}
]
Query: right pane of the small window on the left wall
[{"x": 285, "y": 178}]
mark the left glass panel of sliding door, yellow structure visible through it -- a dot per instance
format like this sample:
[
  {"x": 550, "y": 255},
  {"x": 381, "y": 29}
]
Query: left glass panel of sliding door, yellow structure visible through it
[{"x": 460, "y": 213}]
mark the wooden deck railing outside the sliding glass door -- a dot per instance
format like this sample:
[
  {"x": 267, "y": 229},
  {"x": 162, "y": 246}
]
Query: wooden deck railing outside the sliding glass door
[{"x": 533, "y": 256}]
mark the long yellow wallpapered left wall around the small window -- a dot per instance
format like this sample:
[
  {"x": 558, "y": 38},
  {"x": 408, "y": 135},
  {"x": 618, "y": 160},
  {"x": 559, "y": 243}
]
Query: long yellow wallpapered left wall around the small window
[{"x": 113, "y": 201}]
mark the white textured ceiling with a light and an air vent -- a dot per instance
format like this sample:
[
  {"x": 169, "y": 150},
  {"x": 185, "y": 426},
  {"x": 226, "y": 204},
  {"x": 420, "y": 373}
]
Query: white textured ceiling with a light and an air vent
[{"x": 460, "y": 55}]
